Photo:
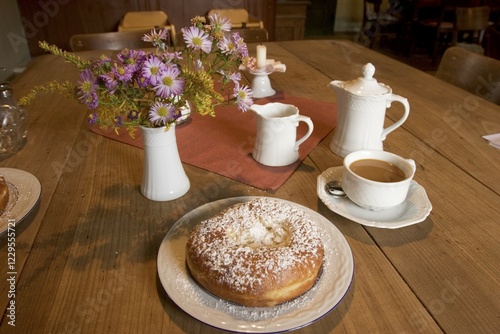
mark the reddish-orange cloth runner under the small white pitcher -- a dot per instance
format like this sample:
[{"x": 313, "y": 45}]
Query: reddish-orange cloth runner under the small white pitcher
[{"x": 223, "y": 144}]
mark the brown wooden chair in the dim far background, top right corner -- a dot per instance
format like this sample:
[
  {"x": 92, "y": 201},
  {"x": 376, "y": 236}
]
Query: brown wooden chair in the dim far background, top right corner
[{"x": 470, "y": 26}]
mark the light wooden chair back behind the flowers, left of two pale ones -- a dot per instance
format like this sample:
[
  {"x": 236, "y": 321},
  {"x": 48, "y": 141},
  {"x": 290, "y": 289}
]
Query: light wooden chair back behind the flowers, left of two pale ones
[{"x": 147, "y": 20}]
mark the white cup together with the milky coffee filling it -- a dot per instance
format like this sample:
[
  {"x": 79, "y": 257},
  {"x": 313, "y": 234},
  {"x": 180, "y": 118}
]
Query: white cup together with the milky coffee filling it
[{"x": 377, "y": 180}]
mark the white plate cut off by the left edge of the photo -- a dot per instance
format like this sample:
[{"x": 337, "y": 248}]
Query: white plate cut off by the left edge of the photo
[{"x": 24, "y": 193}]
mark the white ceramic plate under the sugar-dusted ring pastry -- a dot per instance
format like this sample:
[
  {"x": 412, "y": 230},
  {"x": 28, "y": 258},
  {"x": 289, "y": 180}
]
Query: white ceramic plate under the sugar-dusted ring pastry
[{"x": 329, "y": 290}]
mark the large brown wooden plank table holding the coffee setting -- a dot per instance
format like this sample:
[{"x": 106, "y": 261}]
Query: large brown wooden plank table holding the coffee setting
[{"x": 86, "y": 258}]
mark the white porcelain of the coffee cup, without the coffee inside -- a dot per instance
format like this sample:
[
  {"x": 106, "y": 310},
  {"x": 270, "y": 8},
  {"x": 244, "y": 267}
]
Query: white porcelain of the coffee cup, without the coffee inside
[{"x": 377, "y": 195}]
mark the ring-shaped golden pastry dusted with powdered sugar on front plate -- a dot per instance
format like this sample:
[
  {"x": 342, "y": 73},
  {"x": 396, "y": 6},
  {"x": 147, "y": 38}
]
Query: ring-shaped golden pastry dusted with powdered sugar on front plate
[{"x": 258, "y": 253}]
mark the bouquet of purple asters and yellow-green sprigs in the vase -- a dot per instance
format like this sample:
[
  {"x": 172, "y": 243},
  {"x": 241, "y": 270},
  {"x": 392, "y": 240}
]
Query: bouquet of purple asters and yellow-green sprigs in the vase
[{"x": 151, "y": 88}]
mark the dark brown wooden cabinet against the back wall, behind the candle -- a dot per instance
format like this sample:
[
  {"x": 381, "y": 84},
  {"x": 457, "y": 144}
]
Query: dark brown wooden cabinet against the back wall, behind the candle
[{"x": 290, "y": 19}]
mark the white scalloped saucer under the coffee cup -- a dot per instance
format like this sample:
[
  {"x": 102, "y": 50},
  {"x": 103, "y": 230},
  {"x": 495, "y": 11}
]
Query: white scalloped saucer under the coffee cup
[{"x": 413, "y": 210}]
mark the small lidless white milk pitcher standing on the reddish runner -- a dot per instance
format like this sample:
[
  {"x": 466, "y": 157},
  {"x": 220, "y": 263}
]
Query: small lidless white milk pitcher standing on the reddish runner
[{"x": 276, "y": 143}]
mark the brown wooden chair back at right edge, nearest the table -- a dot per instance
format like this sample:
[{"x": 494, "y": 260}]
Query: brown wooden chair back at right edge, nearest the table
[{"x": 477, "y": 74}]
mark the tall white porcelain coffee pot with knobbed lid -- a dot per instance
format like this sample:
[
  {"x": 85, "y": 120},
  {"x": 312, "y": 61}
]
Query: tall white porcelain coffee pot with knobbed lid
[{"x": 361, "y": 112}]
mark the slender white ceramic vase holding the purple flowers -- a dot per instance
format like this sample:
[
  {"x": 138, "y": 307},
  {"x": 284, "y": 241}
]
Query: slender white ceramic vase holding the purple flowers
[{"x": 164, "y": 178}]
